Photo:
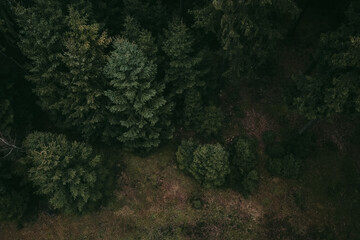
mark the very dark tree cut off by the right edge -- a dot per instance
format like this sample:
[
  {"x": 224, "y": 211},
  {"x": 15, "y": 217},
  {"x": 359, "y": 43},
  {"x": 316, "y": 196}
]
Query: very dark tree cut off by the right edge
[{"x": 335, "y": 87}]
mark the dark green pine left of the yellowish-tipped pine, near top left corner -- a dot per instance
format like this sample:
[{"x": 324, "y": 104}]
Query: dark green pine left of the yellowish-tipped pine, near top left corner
[{"x": 42, "y": 26}]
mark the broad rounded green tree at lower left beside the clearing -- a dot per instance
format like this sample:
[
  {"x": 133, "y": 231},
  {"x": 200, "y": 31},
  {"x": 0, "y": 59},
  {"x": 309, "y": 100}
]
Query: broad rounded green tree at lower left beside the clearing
[{"x": 67, "y": 173}]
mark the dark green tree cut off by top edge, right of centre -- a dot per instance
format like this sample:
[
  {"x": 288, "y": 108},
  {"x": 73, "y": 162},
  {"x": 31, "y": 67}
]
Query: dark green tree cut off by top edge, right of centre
[{"x": 248, "y": 31}]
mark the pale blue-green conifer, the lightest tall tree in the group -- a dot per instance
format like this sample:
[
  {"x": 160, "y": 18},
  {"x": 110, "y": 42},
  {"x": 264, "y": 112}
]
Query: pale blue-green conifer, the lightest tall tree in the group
[{"x": 139, "y": 111}]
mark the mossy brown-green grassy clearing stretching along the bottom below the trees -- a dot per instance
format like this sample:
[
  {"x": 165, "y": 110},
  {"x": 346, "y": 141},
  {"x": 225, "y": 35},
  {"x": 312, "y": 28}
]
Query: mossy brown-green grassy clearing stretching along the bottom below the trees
[{"x": 155, "y": 200}]
